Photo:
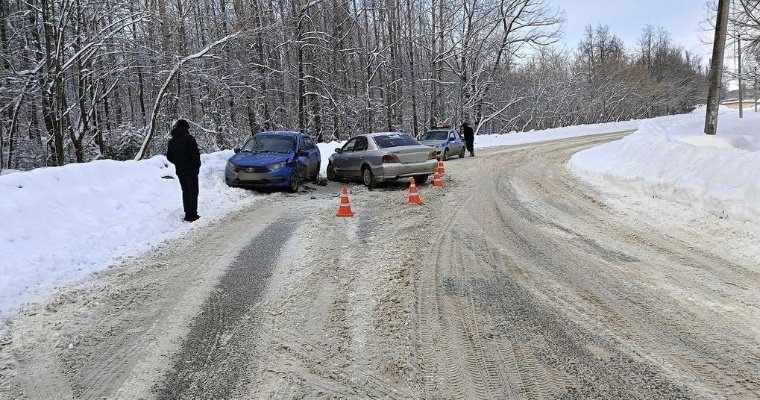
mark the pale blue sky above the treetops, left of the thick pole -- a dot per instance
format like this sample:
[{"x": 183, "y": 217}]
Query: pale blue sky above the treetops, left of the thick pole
[{"x": 627, "y": 18}]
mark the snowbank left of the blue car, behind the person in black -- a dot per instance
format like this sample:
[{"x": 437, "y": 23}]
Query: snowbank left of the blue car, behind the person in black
[{"x": 61, "y": 223}]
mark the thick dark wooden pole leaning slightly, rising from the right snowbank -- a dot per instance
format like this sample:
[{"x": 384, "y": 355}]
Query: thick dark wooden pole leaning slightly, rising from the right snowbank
[{"x": 716, "y": 68}]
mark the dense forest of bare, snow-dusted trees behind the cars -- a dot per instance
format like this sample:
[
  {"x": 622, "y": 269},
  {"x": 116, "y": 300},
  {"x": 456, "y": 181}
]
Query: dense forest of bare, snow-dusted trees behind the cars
[{"x": 93, "y": 79}]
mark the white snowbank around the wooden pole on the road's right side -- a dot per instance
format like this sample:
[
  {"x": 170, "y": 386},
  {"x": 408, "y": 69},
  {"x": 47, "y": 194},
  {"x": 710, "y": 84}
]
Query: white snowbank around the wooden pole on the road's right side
[{"x": 671, "y": 158}]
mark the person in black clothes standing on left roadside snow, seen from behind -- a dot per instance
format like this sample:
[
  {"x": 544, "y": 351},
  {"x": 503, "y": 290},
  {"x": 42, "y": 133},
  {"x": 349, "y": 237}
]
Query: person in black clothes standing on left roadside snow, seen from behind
[{"x": 183, "y": 153}]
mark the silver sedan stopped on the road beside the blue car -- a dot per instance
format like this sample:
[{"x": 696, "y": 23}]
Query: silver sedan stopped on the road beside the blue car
[{"x": 378, "y": 157}]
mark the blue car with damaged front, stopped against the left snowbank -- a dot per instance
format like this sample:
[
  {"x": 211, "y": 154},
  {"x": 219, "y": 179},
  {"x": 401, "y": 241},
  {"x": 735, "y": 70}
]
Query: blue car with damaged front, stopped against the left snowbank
[{"x": 274, "y": 160}]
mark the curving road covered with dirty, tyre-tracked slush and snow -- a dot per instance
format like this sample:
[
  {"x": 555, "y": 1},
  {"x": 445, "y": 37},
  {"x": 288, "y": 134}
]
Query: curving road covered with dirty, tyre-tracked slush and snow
[{"x": 516, "y": 280}]
